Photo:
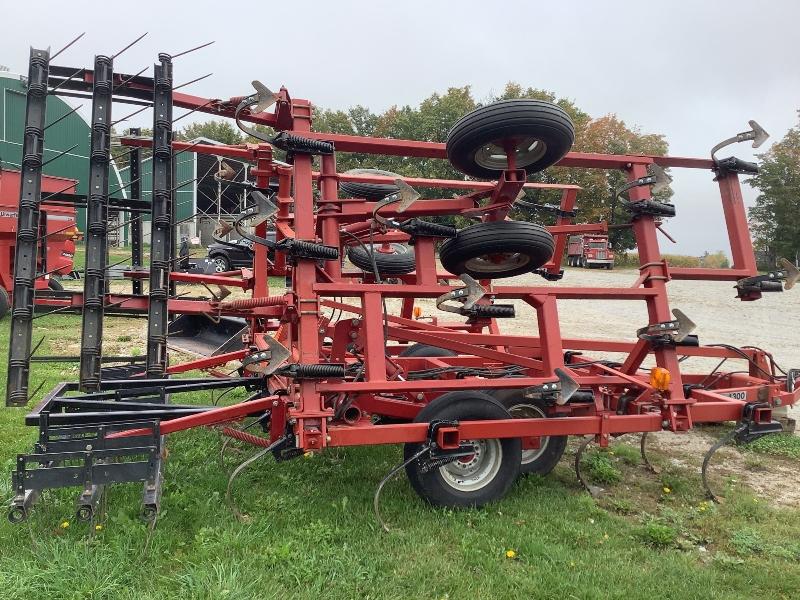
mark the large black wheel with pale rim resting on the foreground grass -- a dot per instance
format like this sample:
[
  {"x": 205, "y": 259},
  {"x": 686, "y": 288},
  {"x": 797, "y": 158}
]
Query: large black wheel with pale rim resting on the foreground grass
[{"x": 468, "y": 481}]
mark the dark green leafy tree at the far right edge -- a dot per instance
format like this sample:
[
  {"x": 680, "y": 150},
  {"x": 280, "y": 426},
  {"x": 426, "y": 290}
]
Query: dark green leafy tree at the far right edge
[{"x": 775, "y": 217}]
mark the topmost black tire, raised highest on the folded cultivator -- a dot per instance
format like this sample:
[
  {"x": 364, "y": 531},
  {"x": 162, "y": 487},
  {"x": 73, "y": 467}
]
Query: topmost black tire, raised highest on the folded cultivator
[{"x": 543, "y": 131}]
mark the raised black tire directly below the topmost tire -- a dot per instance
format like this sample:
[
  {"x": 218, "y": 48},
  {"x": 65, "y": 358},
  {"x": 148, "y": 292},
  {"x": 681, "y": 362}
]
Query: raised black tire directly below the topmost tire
[{"x": 497, "y": 249}]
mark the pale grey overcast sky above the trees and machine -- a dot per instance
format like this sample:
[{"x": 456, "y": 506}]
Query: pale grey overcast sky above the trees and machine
[{"x": 694, "y": 71}]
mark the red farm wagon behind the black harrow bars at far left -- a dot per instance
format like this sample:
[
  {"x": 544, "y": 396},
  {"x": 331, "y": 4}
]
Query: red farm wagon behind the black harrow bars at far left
[{"x": 62, "y": 231}]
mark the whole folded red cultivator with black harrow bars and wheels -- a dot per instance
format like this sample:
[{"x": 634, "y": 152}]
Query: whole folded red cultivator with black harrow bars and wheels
[{"x": 473, "y": 406}]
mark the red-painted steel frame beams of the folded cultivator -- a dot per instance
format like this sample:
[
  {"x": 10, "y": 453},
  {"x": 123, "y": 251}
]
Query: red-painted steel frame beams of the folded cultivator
[{"x": 307, "y": 406}]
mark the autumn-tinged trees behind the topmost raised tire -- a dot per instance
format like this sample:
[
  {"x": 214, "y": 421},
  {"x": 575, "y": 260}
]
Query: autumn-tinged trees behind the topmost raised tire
[{"x": 435, "y": 116}]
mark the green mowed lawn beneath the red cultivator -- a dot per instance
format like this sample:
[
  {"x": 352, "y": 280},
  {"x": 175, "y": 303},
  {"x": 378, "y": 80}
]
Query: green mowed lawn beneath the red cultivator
[{"x": 311, "y": 533}]
